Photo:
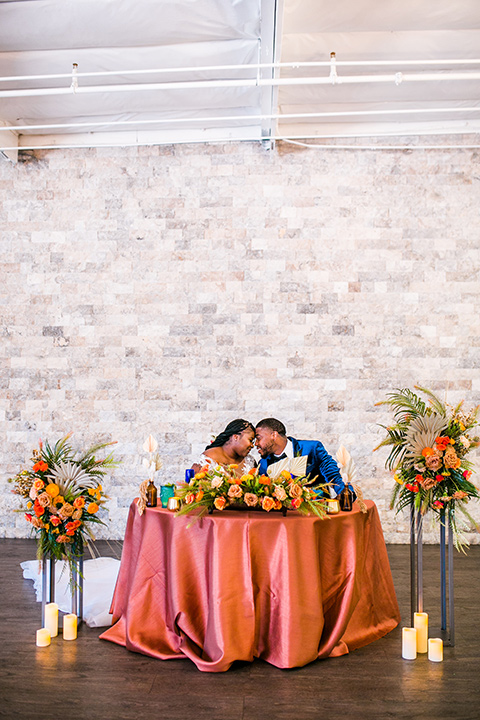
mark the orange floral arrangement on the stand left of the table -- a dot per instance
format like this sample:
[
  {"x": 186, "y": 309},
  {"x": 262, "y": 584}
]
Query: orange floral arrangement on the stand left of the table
[{"x": 63, "y": 495}]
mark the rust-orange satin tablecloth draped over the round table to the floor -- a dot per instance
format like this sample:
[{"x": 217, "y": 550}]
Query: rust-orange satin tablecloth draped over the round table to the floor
[{"x": 238, "y": 585}]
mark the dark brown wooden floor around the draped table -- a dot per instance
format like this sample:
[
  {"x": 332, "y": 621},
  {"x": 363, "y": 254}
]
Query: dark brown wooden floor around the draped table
[{"x": 90, "y": 678}]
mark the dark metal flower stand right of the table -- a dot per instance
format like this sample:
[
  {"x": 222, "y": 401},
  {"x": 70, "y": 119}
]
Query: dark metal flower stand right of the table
[{"x": 416, "y": 571}]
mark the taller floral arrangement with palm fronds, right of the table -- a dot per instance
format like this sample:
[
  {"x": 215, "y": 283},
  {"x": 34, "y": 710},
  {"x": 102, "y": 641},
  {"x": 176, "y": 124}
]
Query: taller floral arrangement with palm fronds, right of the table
[{"x": 430, "y": 441}]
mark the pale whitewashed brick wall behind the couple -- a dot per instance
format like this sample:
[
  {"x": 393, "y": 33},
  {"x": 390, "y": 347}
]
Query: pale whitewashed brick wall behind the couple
[{"x": 170, "y": 290}]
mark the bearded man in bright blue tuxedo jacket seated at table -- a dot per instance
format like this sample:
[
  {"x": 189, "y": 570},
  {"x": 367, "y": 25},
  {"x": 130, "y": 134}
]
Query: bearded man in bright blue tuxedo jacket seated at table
[{"x": 274, "y": 445}]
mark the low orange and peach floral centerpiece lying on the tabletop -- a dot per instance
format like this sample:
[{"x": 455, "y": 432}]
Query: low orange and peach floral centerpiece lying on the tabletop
[{"x": 220, "y": 487}]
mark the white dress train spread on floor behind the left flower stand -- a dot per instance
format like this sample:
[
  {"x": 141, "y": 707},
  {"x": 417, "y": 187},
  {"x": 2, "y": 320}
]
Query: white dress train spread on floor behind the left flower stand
[{"x": 100, "y": 576}]
